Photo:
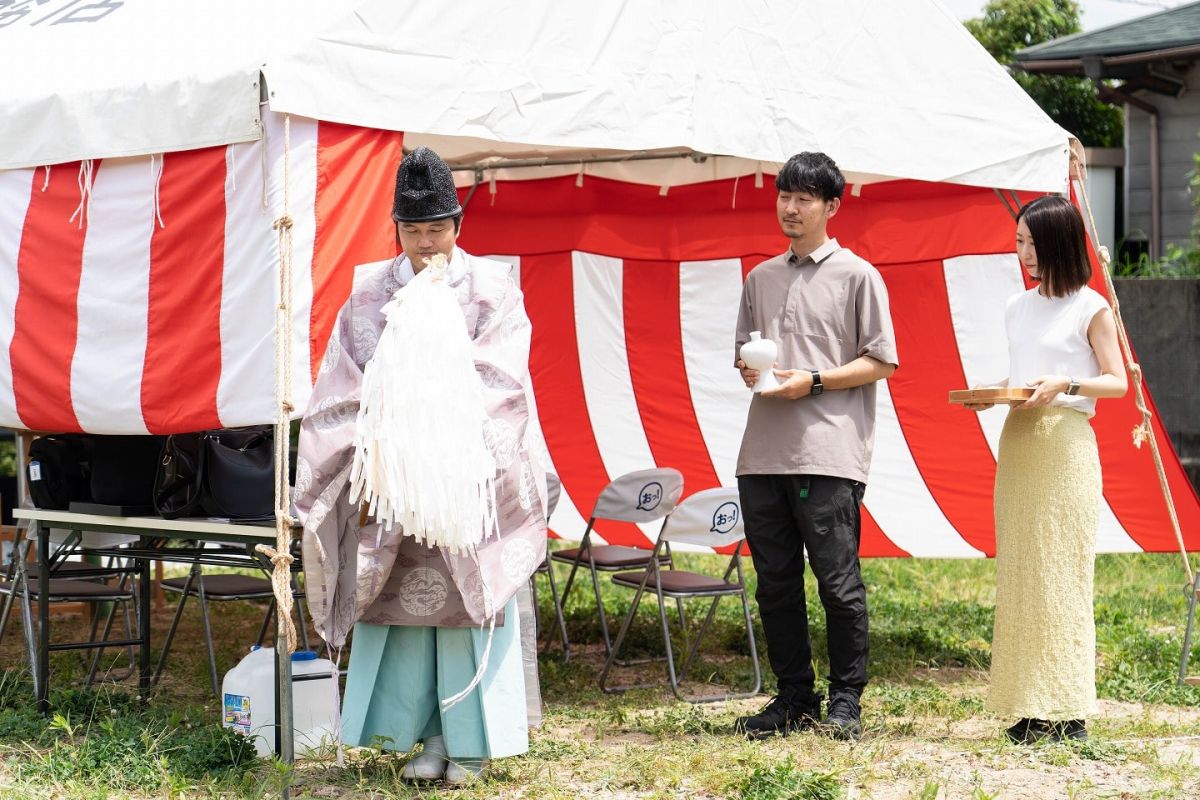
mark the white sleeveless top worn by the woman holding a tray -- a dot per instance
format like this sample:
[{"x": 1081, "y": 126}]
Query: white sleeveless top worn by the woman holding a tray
[{"x": 1048, "y": 336}]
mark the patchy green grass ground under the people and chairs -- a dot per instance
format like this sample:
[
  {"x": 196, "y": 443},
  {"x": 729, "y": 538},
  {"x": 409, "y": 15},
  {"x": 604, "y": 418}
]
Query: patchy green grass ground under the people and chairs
[{"x": 928, "y": 735}]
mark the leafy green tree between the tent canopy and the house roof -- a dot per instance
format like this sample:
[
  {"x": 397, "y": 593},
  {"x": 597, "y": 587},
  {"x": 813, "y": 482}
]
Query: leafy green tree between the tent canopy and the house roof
[{"x": 1075, "y": 104}]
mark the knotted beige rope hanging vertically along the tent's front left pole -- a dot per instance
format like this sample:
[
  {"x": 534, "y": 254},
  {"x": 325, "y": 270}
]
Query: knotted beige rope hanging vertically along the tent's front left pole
[{"x": 280, "y": 555}]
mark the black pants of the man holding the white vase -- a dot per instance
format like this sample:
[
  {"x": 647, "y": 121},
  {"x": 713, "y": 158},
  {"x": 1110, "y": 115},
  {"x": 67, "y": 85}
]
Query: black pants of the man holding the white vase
[{"x": 788, "y": 516}]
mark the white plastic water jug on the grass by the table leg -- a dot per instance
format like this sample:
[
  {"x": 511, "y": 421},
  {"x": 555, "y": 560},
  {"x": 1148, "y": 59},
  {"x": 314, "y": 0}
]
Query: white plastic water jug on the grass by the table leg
[{"x": 249, "y": 695}]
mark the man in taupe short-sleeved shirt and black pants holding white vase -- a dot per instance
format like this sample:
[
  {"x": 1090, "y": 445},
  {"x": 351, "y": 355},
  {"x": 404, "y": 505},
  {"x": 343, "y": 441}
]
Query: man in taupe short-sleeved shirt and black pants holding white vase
[{"x": 807, "y": 449}]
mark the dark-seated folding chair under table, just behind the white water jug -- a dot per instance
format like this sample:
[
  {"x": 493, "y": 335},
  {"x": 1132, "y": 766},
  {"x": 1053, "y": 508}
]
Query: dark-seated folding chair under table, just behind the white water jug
[{"x": 223, "y": 588}]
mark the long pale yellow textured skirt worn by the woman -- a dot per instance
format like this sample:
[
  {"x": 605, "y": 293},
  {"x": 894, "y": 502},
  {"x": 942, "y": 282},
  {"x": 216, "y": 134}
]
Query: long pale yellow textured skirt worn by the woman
[{"x": 1048, "y": 501}]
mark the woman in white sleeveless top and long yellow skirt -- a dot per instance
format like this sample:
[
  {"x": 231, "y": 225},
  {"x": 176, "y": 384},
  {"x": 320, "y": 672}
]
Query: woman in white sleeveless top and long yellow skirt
[{"x": 1063, "y": 344}]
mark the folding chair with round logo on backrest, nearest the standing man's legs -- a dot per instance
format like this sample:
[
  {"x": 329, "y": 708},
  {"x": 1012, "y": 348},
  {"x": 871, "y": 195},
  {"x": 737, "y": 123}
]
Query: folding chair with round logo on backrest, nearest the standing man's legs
[{"x": 709, "y": 519}]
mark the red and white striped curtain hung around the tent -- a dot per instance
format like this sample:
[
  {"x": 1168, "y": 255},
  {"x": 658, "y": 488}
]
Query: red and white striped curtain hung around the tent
[{"x": 119, "y": 322}]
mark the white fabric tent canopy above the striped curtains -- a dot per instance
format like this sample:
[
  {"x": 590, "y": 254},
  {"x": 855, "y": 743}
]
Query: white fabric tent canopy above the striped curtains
[{"x": 892, "y": 91}]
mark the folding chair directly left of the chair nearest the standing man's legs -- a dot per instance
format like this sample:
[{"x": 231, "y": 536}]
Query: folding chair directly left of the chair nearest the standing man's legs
[{"x": 643, "y": 496}]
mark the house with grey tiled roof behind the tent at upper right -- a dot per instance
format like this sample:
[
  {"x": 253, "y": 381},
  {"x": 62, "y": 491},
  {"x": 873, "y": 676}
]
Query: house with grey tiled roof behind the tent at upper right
[{"x": 1157, "y": 59}]
